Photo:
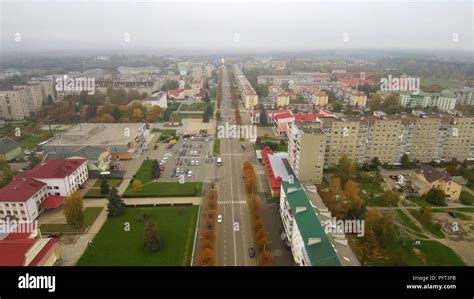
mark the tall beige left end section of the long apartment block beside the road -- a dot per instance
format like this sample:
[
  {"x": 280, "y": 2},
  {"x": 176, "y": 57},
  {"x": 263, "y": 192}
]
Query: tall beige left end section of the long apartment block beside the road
[{"x": 306, "y": 151}]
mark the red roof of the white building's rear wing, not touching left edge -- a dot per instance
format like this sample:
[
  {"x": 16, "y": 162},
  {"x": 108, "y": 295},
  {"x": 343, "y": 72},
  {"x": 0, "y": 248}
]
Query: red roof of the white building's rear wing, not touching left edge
[{"x": 55, "y": 168}]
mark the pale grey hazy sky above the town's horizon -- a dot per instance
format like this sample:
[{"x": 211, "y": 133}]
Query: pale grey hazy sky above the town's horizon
[{"x": 236, "y": 25}]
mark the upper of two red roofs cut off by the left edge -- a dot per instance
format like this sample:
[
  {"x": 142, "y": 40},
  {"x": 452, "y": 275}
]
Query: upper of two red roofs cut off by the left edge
[{"x": 20, "y": 190}]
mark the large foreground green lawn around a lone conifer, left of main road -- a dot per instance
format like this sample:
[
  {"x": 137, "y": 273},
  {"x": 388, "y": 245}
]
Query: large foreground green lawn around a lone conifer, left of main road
[{"x": 115, "y": 246}]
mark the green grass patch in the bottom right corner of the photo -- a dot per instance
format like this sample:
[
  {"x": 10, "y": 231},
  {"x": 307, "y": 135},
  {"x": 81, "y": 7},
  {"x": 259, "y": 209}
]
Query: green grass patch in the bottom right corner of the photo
[{"x": 428, "y": 253}]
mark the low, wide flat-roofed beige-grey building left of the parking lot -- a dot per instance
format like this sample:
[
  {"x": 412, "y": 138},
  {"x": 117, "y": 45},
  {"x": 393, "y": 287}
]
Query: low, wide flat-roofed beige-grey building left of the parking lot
[{"x": 124, "y": 140}]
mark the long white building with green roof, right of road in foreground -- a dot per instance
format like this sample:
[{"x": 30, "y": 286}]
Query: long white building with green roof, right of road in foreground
[{"x": 310, "y": 245}]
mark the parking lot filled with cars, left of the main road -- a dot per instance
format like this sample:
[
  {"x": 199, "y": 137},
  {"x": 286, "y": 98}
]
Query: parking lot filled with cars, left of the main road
[{"x": 189, "y": 159}]
